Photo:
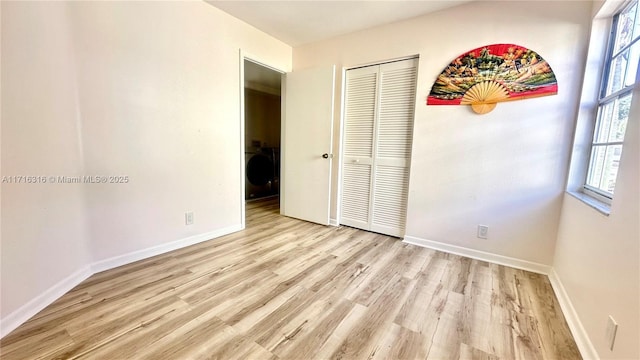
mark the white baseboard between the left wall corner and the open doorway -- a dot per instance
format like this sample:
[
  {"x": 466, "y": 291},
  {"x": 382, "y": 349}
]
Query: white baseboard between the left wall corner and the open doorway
[{"x": 124, "y": 259}]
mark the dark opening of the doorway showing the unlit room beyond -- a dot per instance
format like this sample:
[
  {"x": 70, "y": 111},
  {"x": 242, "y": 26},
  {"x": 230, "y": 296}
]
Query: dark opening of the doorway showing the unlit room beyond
[{"x": 262, "y": 129}]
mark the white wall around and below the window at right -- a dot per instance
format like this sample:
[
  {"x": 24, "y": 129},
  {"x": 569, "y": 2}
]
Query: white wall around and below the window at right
[{"x": 597, "y": 257}]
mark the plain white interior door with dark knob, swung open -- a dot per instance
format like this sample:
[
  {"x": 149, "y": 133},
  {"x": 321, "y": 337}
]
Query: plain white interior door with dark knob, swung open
[{"x": 307, "y": 139}]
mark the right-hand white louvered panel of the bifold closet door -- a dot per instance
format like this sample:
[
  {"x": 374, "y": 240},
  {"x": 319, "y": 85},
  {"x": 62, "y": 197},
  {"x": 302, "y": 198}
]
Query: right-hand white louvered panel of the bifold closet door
[{"x": 393, "y": 146}]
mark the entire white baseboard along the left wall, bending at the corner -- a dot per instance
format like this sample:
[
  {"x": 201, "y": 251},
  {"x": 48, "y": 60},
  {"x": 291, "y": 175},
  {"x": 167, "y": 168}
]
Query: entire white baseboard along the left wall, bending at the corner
[{"x": 28, "y": 310}]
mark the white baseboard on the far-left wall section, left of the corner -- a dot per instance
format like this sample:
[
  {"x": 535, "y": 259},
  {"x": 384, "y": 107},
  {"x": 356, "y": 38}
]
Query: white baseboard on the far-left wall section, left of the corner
[{"x": 28, "y": 310}]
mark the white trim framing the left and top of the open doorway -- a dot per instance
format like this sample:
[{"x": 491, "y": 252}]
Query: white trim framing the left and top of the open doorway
[{"x": 243, "y": 176}]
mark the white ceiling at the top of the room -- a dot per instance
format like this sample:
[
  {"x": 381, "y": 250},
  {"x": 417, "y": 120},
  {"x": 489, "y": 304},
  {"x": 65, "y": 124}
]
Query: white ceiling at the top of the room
[{"x": 302, "y": 22}]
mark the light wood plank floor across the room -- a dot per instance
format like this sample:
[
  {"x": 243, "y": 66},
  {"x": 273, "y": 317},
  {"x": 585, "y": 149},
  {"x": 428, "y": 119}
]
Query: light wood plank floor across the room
[{"x": 289, "y": 289}]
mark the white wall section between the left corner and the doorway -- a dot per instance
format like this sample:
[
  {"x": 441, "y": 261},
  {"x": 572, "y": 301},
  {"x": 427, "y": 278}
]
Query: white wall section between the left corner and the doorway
[{"x": 161, "y": 103}]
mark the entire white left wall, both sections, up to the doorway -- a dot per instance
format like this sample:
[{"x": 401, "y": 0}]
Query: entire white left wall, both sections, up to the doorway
[{"x": 148, "y": 90}]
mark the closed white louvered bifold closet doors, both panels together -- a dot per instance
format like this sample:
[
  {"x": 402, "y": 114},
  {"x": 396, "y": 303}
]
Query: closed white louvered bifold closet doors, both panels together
[{"x": 377, "y": 134}]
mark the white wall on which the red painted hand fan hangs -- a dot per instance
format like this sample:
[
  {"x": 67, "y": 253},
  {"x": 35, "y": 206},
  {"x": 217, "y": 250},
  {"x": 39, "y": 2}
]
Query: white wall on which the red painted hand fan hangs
[{"x": 506, "y": 169}]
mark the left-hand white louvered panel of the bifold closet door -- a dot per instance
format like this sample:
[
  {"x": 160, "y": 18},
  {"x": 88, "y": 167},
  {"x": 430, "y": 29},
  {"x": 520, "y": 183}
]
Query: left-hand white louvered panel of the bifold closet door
[{"x": 357, "y": 168}]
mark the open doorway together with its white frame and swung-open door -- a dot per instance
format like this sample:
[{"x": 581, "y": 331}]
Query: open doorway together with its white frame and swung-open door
[{"x": 302, "y": 170}]
